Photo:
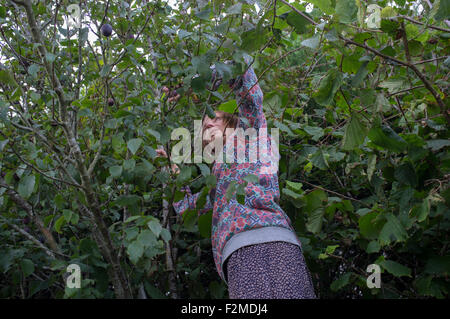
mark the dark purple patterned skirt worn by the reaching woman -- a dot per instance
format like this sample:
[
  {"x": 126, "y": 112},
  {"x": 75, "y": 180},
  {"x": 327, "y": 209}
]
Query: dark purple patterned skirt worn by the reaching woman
[{"x": 274, "y": 270}]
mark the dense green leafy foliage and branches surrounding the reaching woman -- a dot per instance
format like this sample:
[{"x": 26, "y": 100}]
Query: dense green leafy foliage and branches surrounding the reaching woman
[{"x": 362, "y": 111}]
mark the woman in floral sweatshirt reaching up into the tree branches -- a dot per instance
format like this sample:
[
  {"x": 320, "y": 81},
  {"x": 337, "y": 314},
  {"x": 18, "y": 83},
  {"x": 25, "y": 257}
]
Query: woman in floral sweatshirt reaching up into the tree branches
[{"x": 255, "y": 248}]
